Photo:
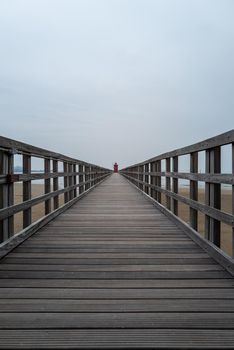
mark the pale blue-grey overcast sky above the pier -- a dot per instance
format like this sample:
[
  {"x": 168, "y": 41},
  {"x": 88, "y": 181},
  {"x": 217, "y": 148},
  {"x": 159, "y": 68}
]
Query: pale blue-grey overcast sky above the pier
[{"x": 116, "y": 80}]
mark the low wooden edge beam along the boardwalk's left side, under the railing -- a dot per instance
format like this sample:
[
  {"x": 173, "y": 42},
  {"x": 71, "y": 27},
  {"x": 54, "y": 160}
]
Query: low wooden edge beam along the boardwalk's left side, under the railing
[{"x": 7, "y": 246}]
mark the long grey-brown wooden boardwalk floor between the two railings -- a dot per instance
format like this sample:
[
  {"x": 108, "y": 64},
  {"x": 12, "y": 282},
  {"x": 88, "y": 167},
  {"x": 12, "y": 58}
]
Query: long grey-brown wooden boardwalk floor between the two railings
[{"x": 112, "y": 272}]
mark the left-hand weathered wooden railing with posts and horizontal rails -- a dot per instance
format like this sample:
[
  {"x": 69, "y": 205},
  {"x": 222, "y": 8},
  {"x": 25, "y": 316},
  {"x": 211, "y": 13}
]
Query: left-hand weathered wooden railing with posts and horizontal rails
[{"x": 78, "y": 178}]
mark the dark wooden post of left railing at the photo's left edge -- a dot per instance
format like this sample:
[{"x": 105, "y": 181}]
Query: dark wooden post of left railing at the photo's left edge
[{"x": 6, "y": 195}]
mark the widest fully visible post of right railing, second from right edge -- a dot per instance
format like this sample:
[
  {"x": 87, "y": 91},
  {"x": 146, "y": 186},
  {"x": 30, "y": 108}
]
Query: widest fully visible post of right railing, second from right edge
[{"x": 213, "y": 195}]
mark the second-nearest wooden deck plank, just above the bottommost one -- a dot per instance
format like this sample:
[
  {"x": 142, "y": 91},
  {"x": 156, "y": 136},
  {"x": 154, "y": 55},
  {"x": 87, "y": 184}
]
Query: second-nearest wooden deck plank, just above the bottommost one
[{"x": 134, "y": 320}]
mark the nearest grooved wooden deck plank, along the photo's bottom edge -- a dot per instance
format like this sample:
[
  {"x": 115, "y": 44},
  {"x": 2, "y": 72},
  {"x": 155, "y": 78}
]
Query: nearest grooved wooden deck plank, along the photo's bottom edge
[{"x": 117, "y": 338}]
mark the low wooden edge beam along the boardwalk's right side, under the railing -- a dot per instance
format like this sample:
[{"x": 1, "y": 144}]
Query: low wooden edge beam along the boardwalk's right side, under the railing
[{"x": 217, "y": 254}]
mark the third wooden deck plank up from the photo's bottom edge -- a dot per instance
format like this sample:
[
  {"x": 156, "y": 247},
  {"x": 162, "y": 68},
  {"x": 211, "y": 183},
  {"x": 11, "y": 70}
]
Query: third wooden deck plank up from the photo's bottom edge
[{"x": 128, "y": 305}]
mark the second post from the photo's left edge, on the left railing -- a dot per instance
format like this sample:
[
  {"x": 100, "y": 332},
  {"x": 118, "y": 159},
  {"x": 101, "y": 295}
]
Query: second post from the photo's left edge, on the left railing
[{"x": 27, "y": 190}]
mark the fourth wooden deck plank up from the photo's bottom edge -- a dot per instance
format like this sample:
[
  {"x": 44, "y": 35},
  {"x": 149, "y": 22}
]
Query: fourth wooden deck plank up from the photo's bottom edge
[{"x": 117, "y": 293}]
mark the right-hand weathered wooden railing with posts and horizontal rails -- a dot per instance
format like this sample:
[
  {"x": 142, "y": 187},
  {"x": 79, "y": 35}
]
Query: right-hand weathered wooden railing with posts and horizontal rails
[{"x": 147, "y": 176}]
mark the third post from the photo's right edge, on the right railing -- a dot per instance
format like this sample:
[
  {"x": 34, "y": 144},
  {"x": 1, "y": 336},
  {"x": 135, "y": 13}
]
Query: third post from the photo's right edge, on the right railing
[{"x": 193, "y": 189}]
